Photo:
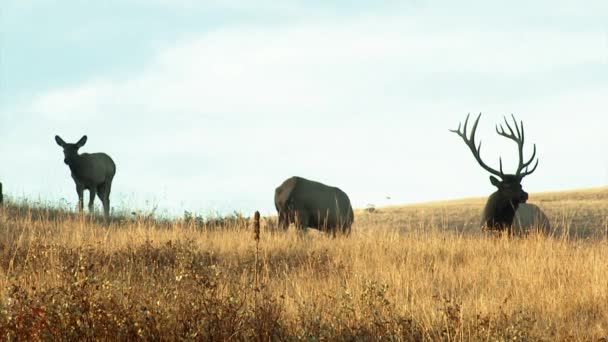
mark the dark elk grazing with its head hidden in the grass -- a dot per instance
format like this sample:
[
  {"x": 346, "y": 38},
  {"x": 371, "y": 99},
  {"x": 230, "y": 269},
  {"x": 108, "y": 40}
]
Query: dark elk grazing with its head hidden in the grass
[{"x": 312, "y": 204}]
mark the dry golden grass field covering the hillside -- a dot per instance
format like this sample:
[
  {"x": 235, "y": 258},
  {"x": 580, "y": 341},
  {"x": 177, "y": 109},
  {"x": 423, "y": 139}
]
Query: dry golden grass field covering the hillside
[{"x": 419, "y": 272}]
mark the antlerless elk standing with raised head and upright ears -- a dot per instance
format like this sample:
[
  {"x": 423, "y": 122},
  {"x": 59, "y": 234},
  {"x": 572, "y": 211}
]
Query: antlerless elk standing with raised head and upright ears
[{"x": 90, "y": 171}]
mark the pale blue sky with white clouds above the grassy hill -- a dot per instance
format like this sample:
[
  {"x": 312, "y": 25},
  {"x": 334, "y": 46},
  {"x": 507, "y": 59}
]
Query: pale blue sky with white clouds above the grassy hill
[{"x": 207, "y": 106}]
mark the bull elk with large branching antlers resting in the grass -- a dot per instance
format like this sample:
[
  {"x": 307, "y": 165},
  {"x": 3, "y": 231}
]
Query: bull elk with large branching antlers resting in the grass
[{"x": 502, "y": 205}]
